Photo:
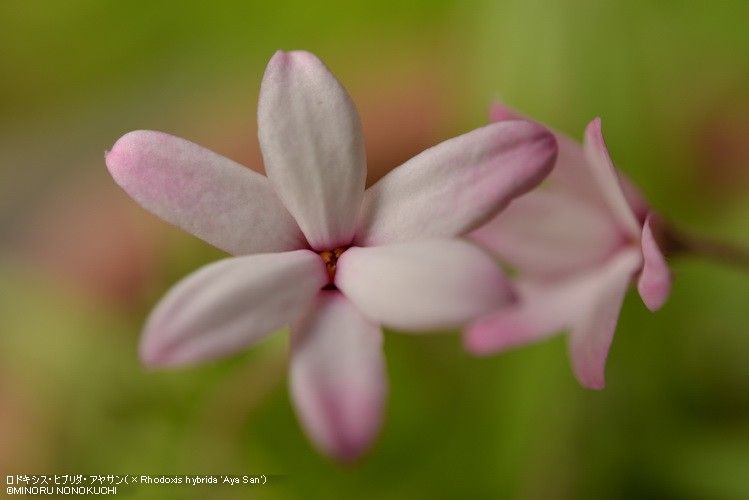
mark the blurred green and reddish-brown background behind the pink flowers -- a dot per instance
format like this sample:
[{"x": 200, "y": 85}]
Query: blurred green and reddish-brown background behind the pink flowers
[{"x": 81, "y": 264}]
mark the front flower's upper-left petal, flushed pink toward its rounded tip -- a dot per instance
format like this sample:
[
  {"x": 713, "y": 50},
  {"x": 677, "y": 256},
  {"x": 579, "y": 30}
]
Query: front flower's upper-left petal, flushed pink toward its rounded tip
[{"x": 212, "y": 197}]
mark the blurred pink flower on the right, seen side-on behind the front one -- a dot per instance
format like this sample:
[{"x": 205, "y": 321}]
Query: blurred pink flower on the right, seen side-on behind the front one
[{"x": 577, "y": 241}]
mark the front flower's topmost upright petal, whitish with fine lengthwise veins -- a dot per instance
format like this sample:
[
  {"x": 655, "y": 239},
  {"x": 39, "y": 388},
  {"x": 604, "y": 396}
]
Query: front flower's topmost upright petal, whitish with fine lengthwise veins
[{"x": 312, "y": 146}]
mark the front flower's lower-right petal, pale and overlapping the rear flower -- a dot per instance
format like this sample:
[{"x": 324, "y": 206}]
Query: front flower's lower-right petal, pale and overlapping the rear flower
[{"x": 422, "y": 285}]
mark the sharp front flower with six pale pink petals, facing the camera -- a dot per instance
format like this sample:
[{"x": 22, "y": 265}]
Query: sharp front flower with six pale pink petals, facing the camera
[{"x": 318, "y": 252}]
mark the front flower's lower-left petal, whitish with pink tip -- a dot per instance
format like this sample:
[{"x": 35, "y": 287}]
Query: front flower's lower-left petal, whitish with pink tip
[{"x": 230, "y": 304}]
